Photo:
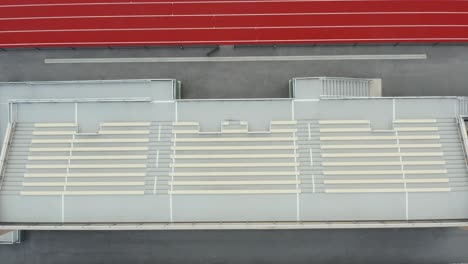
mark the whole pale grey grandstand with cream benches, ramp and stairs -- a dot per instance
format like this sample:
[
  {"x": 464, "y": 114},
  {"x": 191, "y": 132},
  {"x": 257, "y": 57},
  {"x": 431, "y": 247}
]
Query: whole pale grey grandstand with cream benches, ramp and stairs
[{"x": 332, "y": 153}]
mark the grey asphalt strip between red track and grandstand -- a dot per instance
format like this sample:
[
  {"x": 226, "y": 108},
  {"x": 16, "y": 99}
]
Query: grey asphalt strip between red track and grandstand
[{"x": 443, "y": 73}]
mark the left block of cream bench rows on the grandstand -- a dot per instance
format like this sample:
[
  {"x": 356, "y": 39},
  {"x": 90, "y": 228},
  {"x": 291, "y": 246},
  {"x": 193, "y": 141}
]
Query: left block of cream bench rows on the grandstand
[{"x": 63, "y": 161}]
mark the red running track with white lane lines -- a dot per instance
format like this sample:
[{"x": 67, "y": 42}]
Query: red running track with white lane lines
[{"x": 65, "y": 23}]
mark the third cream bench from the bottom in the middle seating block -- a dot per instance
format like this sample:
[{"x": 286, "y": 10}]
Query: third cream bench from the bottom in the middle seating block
[{"x": 233, "y": 173}]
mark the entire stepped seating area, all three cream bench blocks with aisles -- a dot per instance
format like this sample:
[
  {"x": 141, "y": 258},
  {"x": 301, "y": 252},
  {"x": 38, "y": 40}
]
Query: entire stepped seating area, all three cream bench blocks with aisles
[{"x": 291, "y": 157}]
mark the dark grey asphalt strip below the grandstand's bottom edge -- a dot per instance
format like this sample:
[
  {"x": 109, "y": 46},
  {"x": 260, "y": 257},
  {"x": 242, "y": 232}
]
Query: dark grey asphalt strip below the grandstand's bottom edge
[{"x": 206, "y": 247}]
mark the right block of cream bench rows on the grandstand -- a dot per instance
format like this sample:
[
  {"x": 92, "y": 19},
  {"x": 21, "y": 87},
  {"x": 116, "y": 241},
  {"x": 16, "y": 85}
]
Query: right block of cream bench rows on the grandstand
[{"x": 408, "y": 158}]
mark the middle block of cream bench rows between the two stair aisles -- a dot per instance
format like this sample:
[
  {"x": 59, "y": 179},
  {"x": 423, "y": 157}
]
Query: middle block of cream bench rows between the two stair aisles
[{"x": 234, "y": 160}]
